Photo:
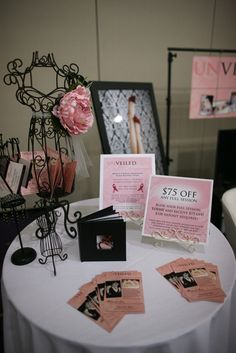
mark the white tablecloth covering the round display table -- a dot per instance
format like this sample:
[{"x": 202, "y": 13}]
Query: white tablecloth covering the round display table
[{"x": 37, "y": 318}]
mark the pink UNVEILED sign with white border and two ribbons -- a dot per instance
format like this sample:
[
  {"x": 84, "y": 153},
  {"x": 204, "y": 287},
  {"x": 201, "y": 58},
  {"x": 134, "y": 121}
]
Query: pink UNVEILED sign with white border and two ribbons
[{"x": 124, "y": 182}]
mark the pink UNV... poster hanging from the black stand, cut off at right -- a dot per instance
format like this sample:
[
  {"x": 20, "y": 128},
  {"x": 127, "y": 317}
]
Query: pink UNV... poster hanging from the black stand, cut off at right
[{"x": 213, "y": 92}]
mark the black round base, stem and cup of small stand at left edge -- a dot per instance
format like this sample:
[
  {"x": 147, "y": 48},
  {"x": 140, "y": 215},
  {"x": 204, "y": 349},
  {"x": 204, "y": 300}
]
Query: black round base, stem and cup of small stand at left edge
[{"x": 24, "y": 255}]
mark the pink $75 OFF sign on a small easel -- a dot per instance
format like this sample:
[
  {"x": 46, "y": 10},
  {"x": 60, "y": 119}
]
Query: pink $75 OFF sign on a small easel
[{"x": 178, "y": 209}]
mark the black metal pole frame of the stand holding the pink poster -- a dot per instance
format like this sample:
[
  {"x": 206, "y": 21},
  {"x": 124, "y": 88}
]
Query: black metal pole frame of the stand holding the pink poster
[{"x": 170, "y": 57}]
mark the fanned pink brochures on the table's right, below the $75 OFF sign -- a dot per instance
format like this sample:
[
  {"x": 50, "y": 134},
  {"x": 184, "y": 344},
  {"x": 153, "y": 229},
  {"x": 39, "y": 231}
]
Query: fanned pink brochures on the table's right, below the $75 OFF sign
[{"x": 194, "y": 279}]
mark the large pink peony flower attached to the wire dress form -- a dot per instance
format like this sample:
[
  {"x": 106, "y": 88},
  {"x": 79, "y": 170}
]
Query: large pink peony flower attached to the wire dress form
[{"x": 74, "y": 111}]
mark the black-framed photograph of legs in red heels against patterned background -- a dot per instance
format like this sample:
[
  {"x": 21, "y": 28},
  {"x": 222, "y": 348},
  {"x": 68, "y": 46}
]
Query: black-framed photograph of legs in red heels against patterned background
[{"x": 127, "y": 119}]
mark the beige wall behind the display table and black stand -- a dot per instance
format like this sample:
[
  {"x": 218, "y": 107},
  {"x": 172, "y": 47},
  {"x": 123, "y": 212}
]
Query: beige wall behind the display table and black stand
[{"x": 123, "y": 40}]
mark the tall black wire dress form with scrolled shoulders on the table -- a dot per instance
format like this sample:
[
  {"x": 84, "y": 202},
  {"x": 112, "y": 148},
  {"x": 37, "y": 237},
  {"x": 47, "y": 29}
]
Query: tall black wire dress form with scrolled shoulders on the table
[{"x": 45, "y": 134}]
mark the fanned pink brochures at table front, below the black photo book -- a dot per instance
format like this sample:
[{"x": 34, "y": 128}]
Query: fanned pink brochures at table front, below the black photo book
[{"x": 109, "y": 296}]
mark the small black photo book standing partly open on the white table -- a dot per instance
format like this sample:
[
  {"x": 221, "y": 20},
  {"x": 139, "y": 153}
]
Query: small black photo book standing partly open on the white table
[{"x": 102, "y": 236}]
